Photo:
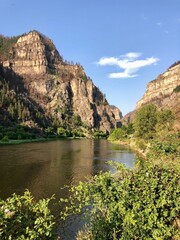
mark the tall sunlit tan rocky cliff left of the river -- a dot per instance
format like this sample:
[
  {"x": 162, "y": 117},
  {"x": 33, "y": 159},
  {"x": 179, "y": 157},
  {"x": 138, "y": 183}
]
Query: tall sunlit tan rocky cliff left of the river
[{"x": 61, "y": 92}]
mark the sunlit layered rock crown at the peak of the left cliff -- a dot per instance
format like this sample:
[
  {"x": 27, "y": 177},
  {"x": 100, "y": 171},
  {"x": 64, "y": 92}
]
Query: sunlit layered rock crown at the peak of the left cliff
[{"x": 33, "y": 54}]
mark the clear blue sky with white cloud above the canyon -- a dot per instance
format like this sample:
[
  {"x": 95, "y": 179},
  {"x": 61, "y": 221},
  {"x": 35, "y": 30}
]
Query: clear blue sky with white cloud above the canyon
[{"x": 122, "y": 44}]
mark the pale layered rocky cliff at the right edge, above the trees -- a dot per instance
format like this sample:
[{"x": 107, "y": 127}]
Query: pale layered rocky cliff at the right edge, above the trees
[{"x": 163, "y": 92}]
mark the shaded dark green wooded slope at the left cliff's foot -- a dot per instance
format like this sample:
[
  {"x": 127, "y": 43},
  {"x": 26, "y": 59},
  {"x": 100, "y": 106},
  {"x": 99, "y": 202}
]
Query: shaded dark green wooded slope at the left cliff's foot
[{"x": 20, "y": 118}]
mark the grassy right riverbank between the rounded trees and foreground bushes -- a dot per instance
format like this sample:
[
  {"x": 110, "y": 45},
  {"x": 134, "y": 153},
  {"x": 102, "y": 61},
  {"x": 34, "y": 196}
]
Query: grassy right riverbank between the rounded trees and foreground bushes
[{"x": 163, "y": 150}]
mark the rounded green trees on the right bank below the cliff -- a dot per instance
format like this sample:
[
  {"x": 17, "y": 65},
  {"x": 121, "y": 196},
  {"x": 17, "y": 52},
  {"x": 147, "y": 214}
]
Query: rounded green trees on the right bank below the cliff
[{"x": 150, "y": 123}]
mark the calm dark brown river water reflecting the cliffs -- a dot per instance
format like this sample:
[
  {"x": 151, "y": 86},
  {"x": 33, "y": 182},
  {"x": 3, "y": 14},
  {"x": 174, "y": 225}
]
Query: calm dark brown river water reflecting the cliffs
[{"x": 45, "y": 167}]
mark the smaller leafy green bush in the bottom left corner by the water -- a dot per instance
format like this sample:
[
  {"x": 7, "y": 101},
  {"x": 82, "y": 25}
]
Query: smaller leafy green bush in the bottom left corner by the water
[{"x": 23, "y": 218}]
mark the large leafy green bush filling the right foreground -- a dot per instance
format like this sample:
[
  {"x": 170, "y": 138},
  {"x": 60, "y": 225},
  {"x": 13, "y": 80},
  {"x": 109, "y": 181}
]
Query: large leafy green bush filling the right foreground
[{"x": 139, "y": 204}]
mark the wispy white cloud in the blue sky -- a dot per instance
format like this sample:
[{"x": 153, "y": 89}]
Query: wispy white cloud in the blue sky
[{"x": 129, "y": 63}]
